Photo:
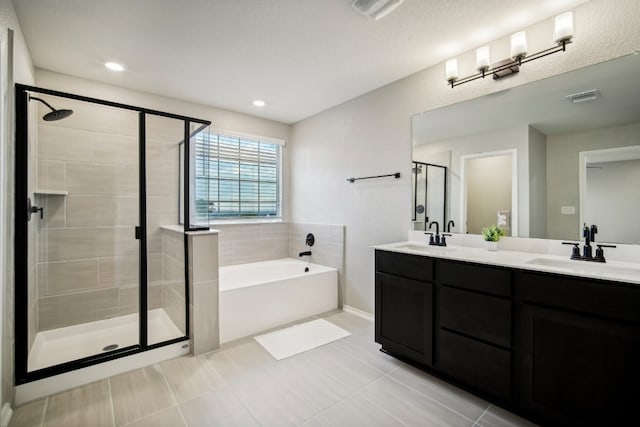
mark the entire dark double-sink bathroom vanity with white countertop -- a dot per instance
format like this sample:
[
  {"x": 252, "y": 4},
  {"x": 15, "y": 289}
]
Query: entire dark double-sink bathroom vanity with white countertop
[{"x": 558, "y": 343}]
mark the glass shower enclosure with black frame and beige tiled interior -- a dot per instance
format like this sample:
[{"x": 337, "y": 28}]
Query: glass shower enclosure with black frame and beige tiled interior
[{"x": 97, "y": 278}]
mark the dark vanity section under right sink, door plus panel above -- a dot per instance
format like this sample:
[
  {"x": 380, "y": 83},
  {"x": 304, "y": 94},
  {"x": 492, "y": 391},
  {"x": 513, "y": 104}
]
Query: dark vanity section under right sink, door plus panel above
[{"x": 579, "y": 352}]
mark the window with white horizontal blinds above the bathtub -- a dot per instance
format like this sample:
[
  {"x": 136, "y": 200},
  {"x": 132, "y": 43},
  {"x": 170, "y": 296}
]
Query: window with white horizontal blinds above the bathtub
[{"x": 237, "y": 177}]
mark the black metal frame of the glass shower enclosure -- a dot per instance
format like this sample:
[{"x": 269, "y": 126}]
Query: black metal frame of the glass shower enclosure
[{"x": 21, "y": 328}]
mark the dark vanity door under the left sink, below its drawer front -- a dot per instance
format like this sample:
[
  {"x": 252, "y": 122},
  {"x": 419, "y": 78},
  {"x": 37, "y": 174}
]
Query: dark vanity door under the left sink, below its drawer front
[{"x": 404, "y": 317}]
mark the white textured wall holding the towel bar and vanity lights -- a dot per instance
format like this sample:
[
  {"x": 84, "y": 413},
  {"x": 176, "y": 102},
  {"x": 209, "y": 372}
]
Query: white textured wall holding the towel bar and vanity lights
[{"x": 371, "y": 135}]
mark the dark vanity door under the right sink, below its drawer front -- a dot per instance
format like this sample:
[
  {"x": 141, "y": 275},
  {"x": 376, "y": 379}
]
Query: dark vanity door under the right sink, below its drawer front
[{"x": 577, "y": 367}]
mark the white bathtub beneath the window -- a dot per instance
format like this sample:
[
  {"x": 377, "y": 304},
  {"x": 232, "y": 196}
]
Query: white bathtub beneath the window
[{"x": 262, "y": 295}]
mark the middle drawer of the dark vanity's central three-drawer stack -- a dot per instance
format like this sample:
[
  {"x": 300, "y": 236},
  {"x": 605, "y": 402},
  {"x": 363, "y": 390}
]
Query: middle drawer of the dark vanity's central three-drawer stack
[{"x": 482, "y": 316}]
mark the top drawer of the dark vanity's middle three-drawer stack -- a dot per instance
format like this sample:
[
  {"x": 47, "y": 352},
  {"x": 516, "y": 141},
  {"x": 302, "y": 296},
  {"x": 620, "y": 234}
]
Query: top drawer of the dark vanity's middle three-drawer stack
[{"x": 475, "y": 277}]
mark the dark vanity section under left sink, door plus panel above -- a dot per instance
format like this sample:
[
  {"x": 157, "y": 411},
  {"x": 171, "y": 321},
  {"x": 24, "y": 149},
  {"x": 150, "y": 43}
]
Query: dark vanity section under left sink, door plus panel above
[{"x": 404, "y": 307}]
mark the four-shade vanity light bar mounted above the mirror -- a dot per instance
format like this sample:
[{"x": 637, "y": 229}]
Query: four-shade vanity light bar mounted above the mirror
[{"x": 562, "y": 35}]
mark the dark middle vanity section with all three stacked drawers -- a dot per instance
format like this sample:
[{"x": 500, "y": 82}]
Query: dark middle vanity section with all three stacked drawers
[{"x": 474, "y": 326}]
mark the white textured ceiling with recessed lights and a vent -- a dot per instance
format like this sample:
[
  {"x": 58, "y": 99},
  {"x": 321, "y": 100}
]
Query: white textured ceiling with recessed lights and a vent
[{"x": 300, "y": 56}]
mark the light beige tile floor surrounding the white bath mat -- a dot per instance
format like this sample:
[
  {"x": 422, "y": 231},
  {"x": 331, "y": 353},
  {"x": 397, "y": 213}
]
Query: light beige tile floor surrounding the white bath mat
[{"x": 345, "y": 383}]
